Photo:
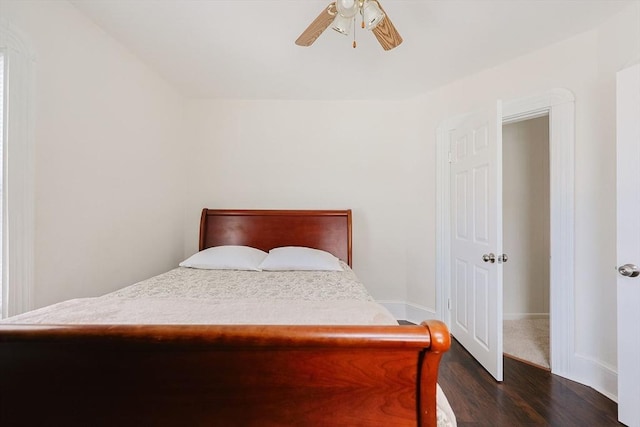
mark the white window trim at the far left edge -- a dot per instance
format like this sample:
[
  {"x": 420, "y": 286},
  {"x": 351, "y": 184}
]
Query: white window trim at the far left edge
[{"x": 18, "y": 232}]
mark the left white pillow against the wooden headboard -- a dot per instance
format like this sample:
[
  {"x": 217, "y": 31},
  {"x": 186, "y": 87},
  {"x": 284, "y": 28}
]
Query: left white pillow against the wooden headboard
[{"x": 226, "y": 258}]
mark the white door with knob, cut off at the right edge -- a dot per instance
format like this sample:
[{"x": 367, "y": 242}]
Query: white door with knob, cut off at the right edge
[{"x": 628, "y": 256}]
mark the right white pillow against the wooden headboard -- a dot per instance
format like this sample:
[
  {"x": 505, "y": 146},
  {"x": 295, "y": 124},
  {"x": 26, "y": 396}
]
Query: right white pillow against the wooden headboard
[{"x": 300, "y": 258}]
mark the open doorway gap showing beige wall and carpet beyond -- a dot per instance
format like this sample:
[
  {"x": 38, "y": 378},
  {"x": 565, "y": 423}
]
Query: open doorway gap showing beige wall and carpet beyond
[{"x": 526, "y": 224}]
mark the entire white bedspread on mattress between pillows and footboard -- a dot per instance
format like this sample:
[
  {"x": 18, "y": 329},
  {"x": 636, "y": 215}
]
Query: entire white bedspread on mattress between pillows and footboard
[{"x": 192, "y": 296}]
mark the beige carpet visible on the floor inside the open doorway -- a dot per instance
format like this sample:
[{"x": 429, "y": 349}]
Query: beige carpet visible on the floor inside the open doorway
[{"x": 527, "y": 340}]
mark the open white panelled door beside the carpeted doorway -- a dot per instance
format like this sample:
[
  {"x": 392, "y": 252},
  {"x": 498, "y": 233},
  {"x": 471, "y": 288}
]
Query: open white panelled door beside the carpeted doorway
[{"x": 476, "y": 236}]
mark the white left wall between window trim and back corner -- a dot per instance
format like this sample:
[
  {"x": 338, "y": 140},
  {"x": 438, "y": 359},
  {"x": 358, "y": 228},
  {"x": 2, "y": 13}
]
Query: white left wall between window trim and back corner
[{"x": 108, "y": 157}]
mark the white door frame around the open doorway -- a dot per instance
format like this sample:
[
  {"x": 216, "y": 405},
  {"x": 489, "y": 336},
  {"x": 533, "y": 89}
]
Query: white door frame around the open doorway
[{"x": 559, "y": 105}]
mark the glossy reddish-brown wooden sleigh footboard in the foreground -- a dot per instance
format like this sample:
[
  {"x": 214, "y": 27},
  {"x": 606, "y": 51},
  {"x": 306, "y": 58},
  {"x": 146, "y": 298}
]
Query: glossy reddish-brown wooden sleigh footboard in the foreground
[{"x": 220, "y": 375}]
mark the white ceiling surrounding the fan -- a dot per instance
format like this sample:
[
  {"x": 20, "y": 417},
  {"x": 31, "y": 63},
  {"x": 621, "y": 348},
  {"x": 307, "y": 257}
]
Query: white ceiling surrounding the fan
[{"x": 244, "y": 49}]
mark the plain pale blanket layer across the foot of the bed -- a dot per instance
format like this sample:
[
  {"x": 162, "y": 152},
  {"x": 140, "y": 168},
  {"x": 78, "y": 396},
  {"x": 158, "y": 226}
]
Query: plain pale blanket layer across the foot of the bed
[{"x": 154, "y": 310}]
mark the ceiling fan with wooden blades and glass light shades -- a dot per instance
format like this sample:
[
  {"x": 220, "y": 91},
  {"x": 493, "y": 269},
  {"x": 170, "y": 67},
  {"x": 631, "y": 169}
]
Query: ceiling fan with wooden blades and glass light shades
[{"x": 341, "y": 14}]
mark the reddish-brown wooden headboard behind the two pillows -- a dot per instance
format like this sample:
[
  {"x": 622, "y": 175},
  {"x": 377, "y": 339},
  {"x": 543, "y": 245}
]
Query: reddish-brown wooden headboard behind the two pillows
[{"x": 329, "y": 230}]
